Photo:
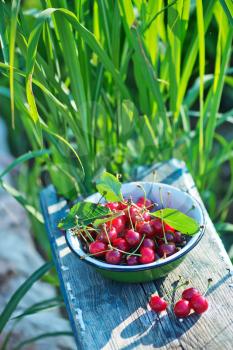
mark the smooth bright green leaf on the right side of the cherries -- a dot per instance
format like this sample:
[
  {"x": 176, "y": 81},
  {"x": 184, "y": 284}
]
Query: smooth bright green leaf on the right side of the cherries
[{"x": 178, "y": 220}]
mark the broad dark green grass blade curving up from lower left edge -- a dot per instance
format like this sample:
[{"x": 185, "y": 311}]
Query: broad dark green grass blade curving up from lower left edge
[{"x": 20, "y": 292}]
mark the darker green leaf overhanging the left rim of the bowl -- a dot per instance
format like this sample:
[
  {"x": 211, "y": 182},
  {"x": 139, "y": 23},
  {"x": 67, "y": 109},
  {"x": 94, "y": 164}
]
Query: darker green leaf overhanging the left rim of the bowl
[{"x": 83, "y": 213}]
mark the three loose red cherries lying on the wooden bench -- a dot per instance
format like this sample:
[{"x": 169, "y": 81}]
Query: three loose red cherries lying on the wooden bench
[{"x": 192, "y": 299}]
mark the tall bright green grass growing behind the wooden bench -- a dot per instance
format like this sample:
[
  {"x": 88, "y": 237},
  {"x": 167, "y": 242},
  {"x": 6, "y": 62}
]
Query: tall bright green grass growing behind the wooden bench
[{"x": 99, "y": 84}]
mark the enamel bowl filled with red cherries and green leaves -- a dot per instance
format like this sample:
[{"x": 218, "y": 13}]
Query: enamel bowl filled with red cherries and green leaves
[{"x": 134, "y": 232}]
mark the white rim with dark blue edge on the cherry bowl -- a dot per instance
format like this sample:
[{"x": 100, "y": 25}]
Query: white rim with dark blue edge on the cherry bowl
[{"x": 156, "y": 264}]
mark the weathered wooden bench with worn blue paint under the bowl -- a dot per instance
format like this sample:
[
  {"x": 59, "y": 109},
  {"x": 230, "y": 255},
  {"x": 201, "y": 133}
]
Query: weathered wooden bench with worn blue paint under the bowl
[{"x": 109, "y": 315}]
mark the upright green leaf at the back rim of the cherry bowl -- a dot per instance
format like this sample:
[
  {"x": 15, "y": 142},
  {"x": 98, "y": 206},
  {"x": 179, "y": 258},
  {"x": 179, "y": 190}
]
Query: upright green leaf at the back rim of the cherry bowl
[{"x": 109, "y": 187}]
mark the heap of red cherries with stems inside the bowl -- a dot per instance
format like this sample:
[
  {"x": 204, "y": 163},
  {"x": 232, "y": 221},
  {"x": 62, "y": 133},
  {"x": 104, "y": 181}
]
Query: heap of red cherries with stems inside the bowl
[{"x": 134, "y": 237}]
